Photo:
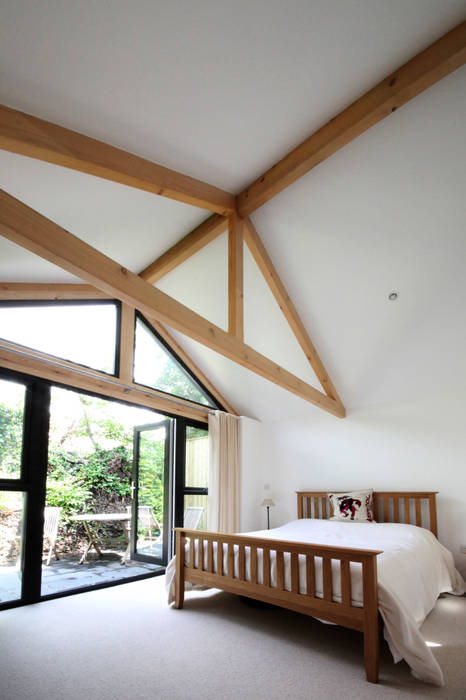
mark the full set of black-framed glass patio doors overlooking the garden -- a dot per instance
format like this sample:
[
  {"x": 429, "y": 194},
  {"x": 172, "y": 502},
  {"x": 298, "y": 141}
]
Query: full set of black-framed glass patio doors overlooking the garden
[{"x": 90, "y": 488}]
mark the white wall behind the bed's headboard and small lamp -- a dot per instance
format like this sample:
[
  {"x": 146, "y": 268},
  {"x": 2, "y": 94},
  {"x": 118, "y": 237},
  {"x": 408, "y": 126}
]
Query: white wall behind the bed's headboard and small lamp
[{"x": 406, "y": 446}]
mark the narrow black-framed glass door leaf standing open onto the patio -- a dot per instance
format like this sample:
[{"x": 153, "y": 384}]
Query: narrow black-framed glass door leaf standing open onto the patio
[{"x": 150, "y": 522}]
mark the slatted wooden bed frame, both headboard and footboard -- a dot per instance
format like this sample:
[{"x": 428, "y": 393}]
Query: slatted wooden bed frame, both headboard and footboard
[{"x": 389, "y": 506}]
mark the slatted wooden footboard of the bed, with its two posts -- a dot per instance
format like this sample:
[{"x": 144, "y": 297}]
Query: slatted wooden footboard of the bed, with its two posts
[{"x": 257, "y": 568}]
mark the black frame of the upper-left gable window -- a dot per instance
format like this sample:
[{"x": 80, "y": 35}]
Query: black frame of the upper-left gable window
[{"x": 28, "y": 303}]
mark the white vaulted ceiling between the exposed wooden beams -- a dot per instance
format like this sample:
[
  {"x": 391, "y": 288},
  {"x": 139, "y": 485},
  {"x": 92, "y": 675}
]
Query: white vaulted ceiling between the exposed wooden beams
[{"x": 221, "y": 90}]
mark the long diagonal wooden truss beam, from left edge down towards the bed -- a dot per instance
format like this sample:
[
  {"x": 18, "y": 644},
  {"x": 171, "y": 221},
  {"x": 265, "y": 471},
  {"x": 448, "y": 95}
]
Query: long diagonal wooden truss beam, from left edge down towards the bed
[{"x": 29, "y": 229}]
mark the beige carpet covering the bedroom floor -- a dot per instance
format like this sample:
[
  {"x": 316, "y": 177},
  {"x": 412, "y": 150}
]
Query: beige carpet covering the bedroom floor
[{"x": 124, "y": 643}]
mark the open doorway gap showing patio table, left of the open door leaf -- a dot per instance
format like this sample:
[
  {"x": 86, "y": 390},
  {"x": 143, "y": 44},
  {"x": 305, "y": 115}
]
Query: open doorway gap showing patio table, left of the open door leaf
[{"x": 87, "y": 514}]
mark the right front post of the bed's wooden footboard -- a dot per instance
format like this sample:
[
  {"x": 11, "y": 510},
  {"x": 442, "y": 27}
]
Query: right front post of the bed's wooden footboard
[{"x": 371, "y": 626}]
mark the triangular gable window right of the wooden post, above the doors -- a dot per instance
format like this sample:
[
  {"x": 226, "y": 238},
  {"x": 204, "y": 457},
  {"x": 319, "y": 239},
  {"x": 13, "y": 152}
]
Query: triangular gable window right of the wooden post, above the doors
[{"x": 157, "y": 367}]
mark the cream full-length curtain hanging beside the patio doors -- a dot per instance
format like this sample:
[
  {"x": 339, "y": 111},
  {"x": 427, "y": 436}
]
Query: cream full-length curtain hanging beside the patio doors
[{"x": 223, "y": 500}]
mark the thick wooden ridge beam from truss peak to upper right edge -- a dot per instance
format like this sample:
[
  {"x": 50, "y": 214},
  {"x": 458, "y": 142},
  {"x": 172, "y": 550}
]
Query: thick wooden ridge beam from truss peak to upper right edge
[{"x": 438, "y": 60}]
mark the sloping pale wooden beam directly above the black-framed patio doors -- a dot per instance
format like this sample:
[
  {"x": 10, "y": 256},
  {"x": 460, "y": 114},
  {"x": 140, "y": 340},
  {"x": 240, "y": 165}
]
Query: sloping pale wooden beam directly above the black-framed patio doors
[{"x": 56, "y": 370}]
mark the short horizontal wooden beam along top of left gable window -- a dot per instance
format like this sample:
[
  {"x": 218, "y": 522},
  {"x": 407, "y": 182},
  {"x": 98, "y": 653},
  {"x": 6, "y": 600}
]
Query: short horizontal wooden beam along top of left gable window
[{"x": 17, "y": 291}]
